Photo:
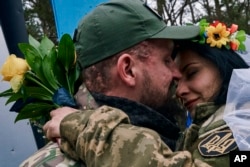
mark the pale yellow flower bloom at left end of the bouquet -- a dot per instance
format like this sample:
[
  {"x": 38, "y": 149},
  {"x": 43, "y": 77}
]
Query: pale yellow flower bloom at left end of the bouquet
[{"x": 13, "y": 71}]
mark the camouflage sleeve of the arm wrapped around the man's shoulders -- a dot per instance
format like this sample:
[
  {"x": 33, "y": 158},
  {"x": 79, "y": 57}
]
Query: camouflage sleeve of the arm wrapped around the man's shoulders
[{"x": 105, "y": 138}]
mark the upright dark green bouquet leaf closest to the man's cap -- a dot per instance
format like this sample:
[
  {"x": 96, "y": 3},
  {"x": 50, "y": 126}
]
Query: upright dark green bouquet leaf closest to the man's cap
[{"x": 66, "y": 51}]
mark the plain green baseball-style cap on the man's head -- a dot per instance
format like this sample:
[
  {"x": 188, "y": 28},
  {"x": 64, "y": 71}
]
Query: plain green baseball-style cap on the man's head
[{"x": 119, "y": 24}]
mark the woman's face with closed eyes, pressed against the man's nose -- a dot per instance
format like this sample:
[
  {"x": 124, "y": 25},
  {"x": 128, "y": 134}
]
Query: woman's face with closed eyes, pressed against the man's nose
[{"x": 200, "y": 81}]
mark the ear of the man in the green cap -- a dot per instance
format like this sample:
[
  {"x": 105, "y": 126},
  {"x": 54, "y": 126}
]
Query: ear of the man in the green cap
[{"x": 126, "y": 69}]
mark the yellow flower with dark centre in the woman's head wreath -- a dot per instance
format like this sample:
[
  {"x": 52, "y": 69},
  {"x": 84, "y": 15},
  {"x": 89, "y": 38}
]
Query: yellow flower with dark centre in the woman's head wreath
[{"x": 217, "y": 35}]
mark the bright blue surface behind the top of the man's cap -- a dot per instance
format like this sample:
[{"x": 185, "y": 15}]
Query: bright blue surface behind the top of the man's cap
[{"x": 69, "y": 12}]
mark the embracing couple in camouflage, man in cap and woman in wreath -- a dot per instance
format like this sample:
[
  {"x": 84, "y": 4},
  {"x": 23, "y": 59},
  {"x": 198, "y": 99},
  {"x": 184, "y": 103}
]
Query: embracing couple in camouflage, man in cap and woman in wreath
[{"x": 132, "y": 62}]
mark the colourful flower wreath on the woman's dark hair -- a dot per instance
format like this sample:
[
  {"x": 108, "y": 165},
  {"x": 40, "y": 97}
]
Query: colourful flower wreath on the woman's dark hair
[{"x": 217, "y": 34}]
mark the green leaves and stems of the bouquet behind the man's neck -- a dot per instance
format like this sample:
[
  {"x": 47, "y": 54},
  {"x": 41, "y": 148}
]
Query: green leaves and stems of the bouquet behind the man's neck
[{"x": 51, "y": 67}]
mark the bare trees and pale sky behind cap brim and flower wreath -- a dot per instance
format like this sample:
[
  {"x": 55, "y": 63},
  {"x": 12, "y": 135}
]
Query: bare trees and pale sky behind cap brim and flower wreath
[{"x": 179, "y": 12}]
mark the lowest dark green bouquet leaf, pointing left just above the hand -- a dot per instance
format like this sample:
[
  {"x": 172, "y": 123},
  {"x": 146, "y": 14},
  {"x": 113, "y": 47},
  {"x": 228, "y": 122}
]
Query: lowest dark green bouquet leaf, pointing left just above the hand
[{"x": 34, "y": 110}]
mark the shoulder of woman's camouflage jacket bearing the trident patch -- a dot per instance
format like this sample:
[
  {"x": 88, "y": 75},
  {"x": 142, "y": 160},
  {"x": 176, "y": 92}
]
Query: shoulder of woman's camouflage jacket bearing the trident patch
[{"x": 209, "y": 138}]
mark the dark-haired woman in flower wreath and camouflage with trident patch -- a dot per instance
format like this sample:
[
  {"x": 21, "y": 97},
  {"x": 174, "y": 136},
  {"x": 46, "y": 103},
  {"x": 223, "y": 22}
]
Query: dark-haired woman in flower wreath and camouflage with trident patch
[{"x": 206, "y": 65}]
